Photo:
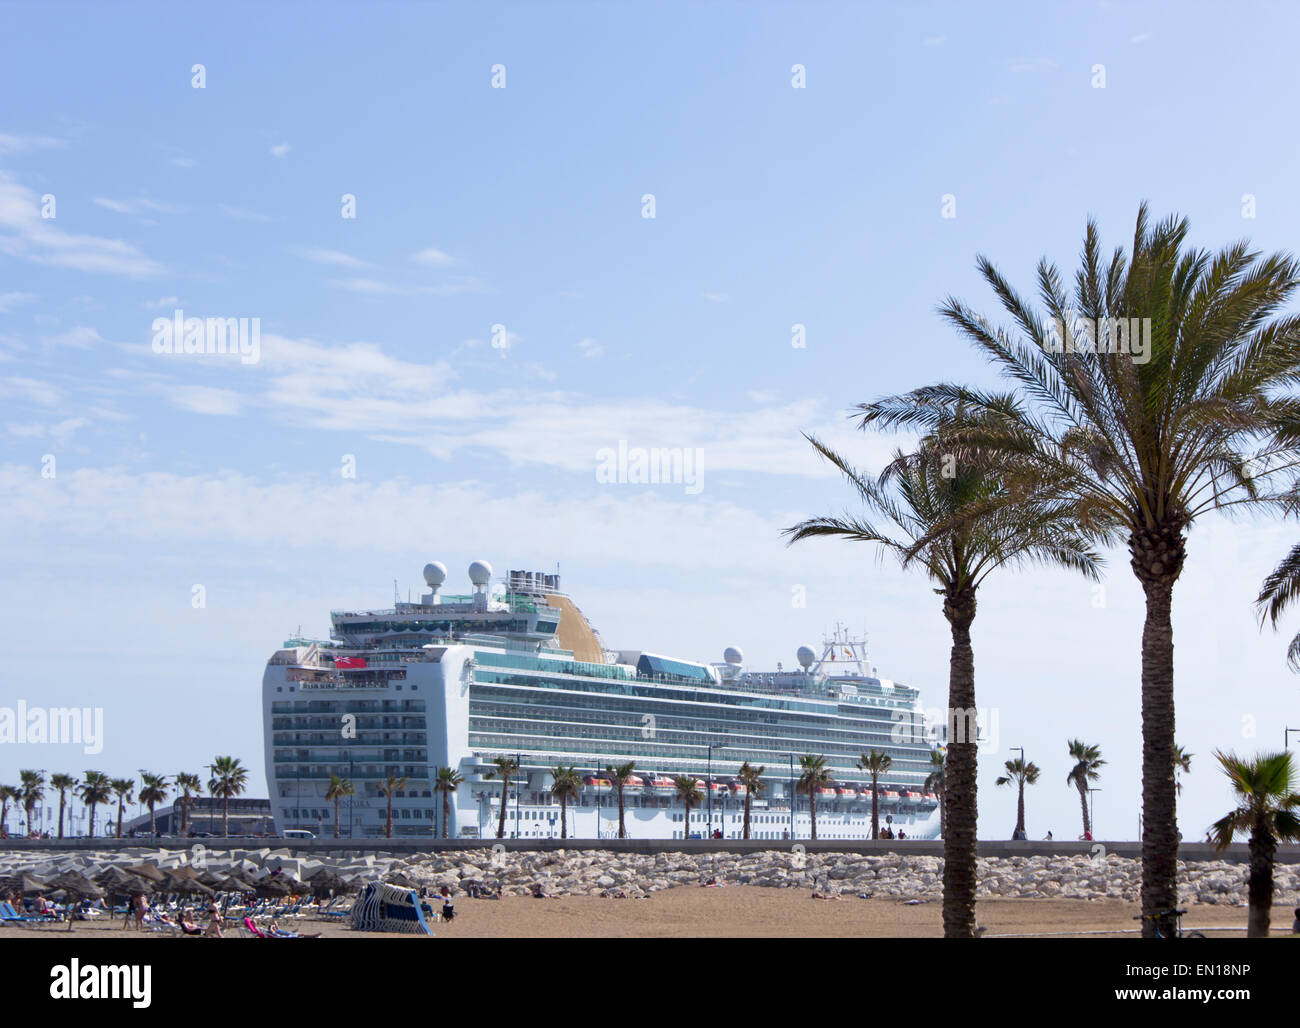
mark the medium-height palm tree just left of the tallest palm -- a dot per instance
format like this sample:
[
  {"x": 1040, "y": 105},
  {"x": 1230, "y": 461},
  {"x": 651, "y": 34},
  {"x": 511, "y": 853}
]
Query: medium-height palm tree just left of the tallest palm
[{"x": 921, "y": 495}]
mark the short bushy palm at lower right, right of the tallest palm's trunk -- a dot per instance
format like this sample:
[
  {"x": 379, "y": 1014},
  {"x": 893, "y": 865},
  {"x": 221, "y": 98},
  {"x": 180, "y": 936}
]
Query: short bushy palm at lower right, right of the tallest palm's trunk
[{"x": 1268, "y": 810}]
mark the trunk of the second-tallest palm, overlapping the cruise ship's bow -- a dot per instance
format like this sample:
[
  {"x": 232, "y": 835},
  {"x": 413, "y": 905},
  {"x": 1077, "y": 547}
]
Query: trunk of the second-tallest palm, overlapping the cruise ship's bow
[{"x": 960, "y": 773}]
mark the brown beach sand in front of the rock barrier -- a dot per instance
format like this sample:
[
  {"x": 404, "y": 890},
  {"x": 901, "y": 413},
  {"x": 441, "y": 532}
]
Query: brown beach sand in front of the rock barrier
[{"x": 751, "y": 912}]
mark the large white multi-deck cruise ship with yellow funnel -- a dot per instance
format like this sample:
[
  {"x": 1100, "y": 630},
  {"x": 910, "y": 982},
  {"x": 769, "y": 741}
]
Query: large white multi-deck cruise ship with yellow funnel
[{"x": 515, "y": 670}]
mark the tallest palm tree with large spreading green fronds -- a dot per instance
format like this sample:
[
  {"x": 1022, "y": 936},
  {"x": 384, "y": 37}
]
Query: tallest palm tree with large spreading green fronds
[{"x": 1142, "y": 437}]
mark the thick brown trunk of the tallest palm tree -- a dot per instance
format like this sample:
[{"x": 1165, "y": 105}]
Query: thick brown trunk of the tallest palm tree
[{"x": 1158, "y": 559}]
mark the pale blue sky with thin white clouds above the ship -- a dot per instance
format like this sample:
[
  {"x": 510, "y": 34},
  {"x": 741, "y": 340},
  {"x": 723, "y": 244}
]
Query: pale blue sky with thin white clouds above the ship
[{"x": 523, "y": 207}]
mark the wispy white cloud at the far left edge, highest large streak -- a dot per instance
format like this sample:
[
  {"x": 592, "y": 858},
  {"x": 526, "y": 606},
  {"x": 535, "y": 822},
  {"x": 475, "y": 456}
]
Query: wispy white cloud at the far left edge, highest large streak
[{"x": 25, "y": 235}]
